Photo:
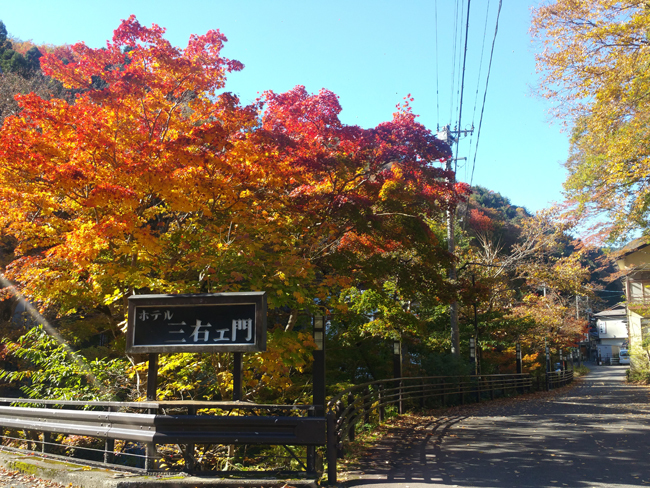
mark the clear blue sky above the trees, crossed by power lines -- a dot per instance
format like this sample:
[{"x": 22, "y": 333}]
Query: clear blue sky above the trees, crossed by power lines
[{"x": 371, "y": 54}]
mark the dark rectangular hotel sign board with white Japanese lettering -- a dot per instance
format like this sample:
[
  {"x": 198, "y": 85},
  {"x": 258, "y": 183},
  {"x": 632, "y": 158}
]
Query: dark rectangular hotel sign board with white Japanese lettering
[{"x": 216, "y": 322}]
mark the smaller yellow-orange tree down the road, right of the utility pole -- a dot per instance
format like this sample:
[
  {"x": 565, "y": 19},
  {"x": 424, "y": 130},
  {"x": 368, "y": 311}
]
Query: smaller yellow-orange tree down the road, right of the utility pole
[{"x": 525, "y": 292}]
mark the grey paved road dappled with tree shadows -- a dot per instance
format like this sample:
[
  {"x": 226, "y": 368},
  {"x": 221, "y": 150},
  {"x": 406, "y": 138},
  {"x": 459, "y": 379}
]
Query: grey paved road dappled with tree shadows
[{"x": 596, "y": 434}]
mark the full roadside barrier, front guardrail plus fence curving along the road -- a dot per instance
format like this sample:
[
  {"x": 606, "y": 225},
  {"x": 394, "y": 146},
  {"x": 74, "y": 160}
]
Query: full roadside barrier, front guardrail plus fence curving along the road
[{"x": 188, "y": 424}]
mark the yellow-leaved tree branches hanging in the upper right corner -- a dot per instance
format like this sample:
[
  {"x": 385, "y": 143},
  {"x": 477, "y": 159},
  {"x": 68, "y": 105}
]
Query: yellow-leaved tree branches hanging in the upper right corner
[{"x": 593, "y": 58}]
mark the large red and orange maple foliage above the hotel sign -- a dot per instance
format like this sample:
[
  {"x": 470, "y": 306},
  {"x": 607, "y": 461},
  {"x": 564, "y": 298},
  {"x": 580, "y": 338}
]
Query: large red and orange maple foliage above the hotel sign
[{"x": 155, "y": 180}]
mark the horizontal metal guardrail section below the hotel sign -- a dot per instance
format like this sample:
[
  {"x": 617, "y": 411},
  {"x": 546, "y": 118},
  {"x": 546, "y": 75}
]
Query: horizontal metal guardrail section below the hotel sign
[{"x": 152, "y": 429}]
